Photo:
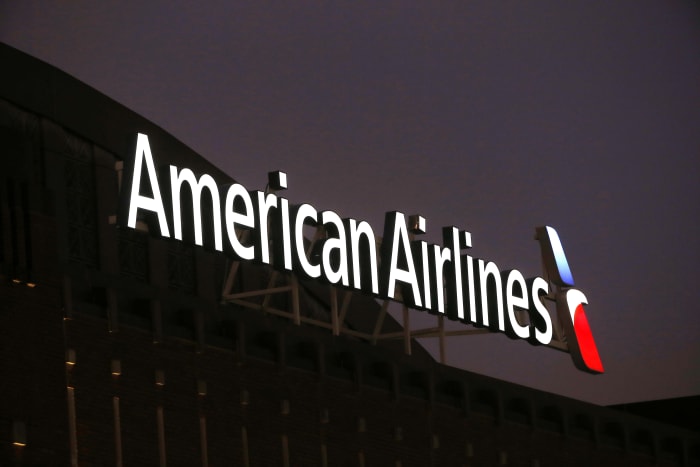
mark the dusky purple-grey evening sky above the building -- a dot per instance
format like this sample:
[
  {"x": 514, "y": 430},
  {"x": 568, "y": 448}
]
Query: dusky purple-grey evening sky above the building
[{"x": 494, "y": 116}]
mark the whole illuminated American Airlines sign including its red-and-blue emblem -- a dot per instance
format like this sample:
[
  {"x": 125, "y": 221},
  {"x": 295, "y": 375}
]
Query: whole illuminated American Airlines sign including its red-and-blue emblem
[{"x": 439, "y": 279}]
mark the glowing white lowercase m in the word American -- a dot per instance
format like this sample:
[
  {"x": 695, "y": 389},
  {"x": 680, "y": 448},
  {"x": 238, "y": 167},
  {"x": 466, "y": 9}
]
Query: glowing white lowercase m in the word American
[{"x": 186, "y": 175}]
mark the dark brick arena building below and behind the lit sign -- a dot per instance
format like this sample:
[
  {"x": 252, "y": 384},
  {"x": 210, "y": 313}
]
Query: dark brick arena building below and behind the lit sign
[{"x": 118, "y": 348}]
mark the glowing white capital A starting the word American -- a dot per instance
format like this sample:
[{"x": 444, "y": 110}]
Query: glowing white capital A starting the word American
[{"x": 136, "y": 201}]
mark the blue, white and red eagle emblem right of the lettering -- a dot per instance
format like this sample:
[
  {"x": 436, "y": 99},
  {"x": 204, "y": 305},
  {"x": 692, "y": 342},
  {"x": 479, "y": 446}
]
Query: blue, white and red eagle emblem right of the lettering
[{"x": 570, "y": 303}]
